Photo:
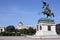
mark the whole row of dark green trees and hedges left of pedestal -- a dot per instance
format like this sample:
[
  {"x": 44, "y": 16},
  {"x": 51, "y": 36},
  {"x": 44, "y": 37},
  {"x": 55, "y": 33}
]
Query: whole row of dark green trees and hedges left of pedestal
[{"x": 11, "y": 31}]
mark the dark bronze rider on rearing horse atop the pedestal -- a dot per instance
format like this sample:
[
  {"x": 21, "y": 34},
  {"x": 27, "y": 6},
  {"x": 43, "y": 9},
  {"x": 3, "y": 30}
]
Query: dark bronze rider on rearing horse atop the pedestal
[{"x": 46, "y": 10}]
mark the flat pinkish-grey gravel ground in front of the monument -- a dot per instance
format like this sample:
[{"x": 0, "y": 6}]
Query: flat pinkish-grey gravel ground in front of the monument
[{"x": 24, "y": 38}]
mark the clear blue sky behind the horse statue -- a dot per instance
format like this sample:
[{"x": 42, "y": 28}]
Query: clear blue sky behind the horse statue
[{"x": 14, "y": 11}]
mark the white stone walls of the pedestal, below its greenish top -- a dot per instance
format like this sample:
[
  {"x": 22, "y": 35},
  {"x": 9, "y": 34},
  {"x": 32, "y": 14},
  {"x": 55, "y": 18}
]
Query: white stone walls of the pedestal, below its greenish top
[{"x": 45, "y": 31}]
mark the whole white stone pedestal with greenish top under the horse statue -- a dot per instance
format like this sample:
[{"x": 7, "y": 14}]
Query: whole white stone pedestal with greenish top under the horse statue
[{"x": 46, "y": 27}]
